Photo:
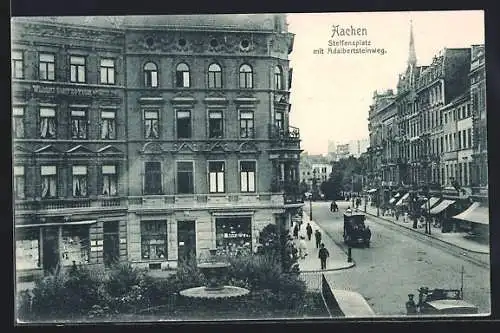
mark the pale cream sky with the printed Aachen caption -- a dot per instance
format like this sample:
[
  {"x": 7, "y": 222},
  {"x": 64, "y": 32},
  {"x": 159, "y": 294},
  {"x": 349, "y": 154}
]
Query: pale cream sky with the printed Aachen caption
[{"x": 331, "y": 93}]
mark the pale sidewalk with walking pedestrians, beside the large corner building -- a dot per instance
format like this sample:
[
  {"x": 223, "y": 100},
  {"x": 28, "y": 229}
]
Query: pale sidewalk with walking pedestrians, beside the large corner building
[{"x": 311, "y": 263}]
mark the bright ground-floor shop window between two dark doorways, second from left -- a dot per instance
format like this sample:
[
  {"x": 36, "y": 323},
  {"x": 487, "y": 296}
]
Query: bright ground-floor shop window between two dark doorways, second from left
[{"x": 75, "y": 245}]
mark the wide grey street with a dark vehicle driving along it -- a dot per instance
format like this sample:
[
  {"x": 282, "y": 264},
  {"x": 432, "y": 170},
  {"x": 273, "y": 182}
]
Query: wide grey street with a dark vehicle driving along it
[{"x": 397, "y": 264}]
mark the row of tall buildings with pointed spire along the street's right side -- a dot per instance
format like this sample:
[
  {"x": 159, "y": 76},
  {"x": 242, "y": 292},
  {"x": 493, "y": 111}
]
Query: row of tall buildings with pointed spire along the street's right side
[{"x": 430, "y": 135}]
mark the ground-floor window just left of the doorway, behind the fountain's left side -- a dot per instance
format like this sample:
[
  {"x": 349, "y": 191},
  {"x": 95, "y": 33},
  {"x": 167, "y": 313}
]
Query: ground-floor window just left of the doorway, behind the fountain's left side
[{"x": 153, "y": 240}]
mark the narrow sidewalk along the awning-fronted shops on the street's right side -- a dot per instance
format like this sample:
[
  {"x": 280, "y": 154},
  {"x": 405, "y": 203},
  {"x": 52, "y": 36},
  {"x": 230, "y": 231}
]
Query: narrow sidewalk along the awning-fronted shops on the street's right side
[{"x": 455, "y": 238}]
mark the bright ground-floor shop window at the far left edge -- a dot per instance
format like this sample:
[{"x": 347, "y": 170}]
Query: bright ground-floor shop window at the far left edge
[{"x": 27, "y": 248}]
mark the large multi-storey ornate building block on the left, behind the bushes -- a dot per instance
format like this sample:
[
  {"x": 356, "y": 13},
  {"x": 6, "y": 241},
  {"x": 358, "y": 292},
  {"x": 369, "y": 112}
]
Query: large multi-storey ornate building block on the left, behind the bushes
[{"x": 150, "y": 139}]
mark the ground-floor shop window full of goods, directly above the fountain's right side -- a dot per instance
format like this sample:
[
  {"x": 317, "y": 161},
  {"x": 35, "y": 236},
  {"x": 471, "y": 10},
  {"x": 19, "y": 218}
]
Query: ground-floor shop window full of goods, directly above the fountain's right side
[{"x": 234, "y": 235}]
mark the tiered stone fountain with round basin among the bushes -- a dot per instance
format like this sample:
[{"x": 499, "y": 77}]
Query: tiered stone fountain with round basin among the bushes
[{"x": 213, "y": 270}]
